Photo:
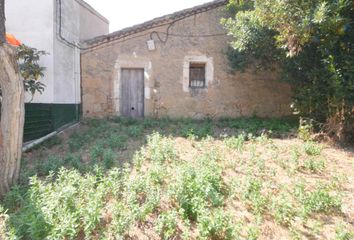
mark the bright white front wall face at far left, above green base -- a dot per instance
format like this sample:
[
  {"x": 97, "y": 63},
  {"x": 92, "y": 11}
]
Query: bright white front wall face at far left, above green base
[{"x": 31, "y": 21}]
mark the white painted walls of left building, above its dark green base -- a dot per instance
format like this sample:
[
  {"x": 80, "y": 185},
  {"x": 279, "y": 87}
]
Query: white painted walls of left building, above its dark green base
[{"x": 36, "y": 24}]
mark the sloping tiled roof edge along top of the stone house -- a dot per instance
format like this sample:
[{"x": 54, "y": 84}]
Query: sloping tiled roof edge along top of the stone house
[{"x": 157, "y": 22}]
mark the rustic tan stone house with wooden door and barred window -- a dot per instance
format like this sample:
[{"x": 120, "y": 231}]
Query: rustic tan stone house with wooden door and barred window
[{"x": 175, "y": 66}]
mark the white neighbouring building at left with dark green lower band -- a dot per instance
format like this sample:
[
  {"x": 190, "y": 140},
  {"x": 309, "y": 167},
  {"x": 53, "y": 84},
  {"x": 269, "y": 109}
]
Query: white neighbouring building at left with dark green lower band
[{"x": 57, "y": 27}]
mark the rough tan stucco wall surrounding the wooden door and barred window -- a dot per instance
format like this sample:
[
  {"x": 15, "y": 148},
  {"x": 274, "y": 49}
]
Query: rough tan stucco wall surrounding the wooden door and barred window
[{"x": 227, "y": 94}]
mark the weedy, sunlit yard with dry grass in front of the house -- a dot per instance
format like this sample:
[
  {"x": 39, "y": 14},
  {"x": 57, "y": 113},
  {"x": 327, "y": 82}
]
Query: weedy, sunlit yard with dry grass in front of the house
[{"x": 165, "y": 179}]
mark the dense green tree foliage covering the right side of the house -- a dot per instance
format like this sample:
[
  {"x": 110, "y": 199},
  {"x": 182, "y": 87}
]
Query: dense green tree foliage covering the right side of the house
[{"x": 311, "y": 41}]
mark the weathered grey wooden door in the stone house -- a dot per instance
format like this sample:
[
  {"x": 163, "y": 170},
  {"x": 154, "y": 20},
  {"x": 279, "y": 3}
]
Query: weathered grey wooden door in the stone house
[{"x": 132, "y": 95}]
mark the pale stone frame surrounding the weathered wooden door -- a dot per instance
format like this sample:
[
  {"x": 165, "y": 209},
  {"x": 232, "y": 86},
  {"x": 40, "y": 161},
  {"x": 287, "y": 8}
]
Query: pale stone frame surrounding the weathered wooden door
[{"x": 130, "y": 62}]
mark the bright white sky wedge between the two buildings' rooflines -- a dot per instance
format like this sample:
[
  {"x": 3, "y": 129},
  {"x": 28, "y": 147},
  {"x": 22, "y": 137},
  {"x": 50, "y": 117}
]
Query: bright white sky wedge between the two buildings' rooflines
[{"x": 126, "y": 13}]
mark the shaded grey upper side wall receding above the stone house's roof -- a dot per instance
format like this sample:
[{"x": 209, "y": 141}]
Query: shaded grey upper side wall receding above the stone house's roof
[{"x": 92, "y": 23}]
